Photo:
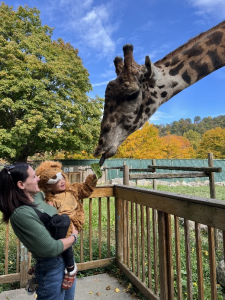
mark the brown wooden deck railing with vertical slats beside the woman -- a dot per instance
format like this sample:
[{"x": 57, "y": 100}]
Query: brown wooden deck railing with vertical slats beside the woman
[{"x": 165, "y": 259}]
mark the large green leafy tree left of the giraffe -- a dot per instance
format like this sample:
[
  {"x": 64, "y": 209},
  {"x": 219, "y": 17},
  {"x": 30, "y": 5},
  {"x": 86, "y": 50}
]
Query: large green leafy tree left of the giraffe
[{"x": 43, "y": 86}]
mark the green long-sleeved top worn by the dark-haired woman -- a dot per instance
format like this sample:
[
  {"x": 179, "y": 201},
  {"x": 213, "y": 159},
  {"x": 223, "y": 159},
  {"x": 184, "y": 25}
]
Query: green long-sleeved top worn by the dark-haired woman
[{"x": 31, "y": 231}]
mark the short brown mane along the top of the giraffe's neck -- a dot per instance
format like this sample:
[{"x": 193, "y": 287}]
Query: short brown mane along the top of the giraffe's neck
[{"x": 189, "y": 43}]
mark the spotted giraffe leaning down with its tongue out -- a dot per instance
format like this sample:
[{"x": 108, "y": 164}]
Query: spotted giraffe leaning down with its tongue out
[{"x": 138, "y": 91}]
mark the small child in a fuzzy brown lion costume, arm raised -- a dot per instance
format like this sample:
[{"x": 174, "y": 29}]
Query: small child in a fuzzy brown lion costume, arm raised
[{"x": 65, "y": 197}]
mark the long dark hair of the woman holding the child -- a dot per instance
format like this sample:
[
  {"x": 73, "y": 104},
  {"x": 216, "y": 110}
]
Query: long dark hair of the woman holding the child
[{"x": 11, "y": 196}]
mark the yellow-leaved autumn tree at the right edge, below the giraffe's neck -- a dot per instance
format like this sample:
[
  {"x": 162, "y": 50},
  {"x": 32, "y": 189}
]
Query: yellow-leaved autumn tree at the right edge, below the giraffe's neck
[{"x": 213, "y": 141}]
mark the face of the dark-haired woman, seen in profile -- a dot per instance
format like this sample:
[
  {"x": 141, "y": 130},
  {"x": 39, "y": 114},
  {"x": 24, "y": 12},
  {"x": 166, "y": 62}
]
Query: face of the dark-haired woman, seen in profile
[{"x": 30, "y": 185}]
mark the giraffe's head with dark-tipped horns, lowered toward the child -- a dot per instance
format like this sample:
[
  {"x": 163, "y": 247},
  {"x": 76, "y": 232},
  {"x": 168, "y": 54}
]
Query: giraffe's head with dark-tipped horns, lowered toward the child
[{"x": 126, "y": 108}]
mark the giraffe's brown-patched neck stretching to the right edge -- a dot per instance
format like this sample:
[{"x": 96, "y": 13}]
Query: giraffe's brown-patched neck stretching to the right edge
[{"x": 193, "y": 61}]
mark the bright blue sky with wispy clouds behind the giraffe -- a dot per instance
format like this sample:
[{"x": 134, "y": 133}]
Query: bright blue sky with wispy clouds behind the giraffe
[{"x": 99, "y": 30}]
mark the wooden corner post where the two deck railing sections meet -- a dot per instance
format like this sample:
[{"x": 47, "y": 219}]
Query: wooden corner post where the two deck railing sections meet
[{"x": 119, "y": 229}]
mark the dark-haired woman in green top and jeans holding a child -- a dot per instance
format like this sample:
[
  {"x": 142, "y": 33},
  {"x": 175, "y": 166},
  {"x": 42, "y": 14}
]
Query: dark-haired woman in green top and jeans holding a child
[{"x": 18, "y": 185}]
